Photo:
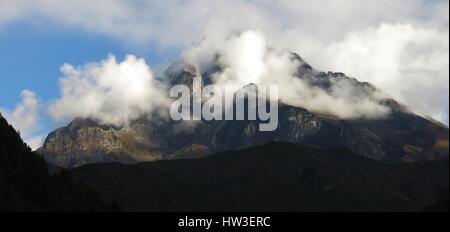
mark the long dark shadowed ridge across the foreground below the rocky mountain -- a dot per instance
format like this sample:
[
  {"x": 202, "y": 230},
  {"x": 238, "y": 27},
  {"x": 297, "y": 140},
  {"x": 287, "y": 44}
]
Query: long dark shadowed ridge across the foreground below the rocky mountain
[{"x": 277, "y": 176}]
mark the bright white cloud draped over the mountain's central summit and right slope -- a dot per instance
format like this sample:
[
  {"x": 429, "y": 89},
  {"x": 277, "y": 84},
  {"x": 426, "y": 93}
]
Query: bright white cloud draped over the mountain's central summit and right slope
[{"x": 249, "y": 58}]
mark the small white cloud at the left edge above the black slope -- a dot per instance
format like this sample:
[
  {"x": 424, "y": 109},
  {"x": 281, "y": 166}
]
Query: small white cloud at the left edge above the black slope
[{"x": 25, "y": 118}]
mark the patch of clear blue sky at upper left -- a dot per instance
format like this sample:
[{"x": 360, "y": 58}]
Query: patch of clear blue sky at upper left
[{"x": 30, "y": 58}]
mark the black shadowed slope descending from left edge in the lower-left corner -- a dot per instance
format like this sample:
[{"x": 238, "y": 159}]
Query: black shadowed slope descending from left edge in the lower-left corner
[{"x": 25, "y": 184}]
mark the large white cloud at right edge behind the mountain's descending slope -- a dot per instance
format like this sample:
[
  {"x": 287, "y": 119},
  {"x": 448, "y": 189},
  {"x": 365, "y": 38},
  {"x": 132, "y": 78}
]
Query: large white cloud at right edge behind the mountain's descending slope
[{"x": 409, "y": 63}]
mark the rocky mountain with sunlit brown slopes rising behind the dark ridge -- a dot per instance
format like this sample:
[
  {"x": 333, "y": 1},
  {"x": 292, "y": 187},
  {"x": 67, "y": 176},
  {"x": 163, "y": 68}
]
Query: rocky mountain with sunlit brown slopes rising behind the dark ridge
[{"x": 400, "y": 137}]
